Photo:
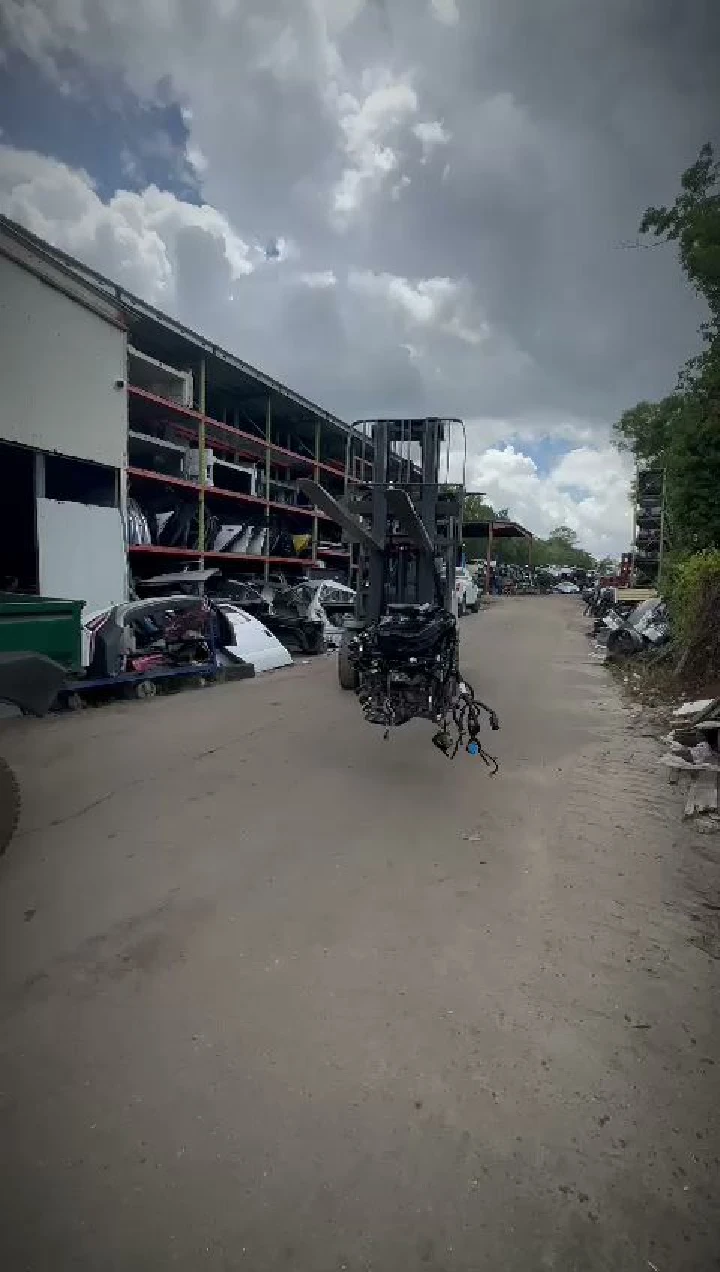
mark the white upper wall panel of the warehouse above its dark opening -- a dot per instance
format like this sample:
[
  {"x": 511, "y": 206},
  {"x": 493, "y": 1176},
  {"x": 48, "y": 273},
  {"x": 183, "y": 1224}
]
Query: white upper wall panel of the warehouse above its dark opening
[{"x": 60, "y": 368}]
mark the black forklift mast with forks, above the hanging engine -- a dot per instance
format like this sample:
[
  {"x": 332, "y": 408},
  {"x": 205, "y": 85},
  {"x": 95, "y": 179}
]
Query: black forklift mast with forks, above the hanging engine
[{"x": 404, "y": 523}]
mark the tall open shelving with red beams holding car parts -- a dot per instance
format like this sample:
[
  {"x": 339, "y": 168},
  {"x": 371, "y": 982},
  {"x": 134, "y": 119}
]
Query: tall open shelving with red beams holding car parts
[{"x": 214, "y": 452}]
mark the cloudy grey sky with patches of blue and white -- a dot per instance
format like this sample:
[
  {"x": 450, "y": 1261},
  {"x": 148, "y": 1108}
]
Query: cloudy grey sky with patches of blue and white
[{"x": 396, "y": 207}]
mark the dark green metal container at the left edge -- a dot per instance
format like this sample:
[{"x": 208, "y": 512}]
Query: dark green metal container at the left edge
[{"x": 43, "y": 625}]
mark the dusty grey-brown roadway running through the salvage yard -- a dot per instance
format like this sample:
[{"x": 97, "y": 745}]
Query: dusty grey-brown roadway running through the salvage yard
[{"x": 278, "y": 995}]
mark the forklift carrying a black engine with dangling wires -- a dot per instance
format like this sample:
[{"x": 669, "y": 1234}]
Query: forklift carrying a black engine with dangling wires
[{"x": 400, "y": 654}]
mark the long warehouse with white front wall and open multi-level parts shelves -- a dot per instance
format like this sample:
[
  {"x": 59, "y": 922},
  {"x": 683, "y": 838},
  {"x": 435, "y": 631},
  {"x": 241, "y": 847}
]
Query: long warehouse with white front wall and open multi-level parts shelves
[{"x": 130, "y": 446}]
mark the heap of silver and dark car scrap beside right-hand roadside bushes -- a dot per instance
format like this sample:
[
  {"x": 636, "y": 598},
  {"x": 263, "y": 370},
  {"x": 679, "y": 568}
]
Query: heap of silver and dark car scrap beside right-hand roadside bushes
[{"x": 628, "y": 624}]
